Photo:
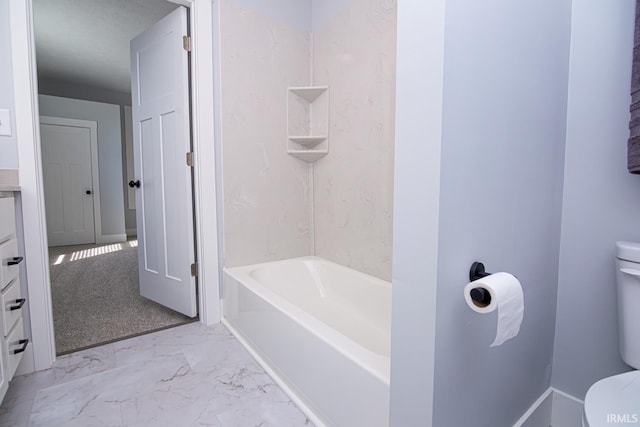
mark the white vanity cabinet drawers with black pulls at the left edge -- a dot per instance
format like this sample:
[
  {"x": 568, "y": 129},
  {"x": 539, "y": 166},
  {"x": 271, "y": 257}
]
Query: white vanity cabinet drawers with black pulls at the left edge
[{"x": 13, "y": 342}]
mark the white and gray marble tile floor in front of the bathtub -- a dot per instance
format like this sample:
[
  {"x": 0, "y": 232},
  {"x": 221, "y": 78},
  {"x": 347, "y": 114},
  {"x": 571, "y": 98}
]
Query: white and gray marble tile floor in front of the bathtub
[{"x": 190, "y": 375}]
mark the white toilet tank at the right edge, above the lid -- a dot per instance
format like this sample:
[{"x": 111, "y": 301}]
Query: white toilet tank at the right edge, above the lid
[{"x": 628, "y": 284}]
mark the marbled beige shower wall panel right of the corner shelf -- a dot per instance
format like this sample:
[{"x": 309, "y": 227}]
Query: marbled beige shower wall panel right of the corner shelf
[{"x": 355, "y": 54}]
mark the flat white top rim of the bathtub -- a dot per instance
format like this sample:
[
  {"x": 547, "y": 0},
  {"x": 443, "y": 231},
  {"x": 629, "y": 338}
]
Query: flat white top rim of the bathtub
[{"x": 377, "y": 365}]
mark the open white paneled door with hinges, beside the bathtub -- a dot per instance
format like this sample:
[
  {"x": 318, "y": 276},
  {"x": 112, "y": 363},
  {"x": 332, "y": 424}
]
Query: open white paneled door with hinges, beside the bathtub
[{"x": 161, "y": 140}]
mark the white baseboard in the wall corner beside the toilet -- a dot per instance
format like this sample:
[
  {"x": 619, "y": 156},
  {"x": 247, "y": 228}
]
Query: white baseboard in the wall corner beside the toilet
[{"x": 554, "y": 408}]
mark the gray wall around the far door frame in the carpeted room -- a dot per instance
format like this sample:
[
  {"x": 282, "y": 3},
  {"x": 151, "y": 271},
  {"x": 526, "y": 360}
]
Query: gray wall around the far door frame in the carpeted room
[{"x": 109, "y": 152}]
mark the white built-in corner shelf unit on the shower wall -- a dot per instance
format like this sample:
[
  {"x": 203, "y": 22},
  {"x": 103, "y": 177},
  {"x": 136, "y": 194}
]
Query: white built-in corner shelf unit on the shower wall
[{"x": 308, "y": 122}]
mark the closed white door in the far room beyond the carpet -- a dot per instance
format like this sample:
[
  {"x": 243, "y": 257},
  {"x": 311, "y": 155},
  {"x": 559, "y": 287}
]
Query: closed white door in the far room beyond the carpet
[{"x": 68, "y": 151}]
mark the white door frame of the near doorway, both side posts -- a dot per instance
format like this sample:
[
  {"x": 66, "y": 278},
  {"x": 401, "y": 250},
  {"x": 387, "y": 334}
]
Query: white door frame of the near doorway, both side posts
[{"x": 41, "y": 354}]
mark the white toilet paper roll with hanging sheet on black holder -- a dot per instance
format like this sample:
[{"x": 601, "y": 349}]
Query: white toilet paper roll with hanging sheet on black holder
[{"x": 506, "y": 295}]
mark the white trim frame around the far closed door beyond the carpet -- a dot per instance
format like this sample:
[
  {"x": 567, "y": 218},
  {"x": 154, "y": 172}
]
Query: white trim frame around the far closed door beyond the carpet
[{"x": 95, "y": 176}]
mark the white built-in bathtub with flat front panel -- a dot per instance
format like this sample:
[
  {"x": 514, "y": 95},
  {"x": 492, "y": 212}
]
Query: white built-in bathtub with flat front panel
[{"x": 321, "y": 331}]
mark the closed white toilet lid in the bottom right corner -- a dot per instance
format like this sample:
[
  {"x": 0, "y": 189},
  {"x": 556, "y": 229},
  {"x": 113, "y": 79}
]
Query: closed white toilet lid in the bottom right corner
[{"x": 614, "y": 400}]
